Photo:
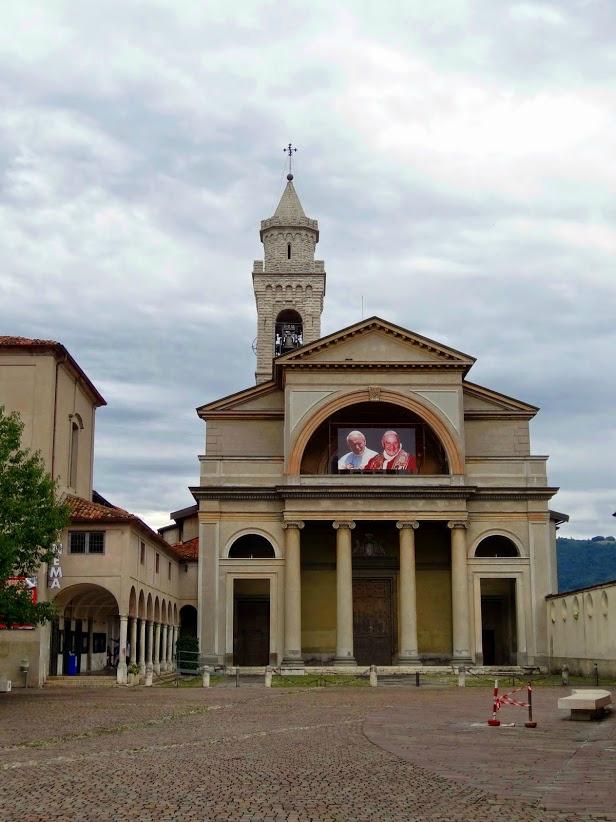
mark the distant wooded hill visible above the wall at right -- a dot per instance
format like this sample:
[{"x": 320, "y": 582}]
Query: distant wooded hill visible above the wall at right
[{"x": 583, "y": 562}]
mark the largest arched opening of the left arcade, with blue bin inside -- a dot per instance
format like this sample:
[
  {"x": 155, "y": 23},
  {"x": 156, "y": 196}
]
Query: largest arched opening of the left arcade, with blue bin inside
[{"x": 85, "y": 633}]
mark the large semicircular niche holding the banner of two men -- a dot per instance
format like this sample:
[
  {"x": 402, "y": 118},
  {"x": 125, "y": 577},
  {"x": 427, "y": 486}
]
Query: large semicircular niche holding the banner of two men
[{"x": 335, "y": 446}]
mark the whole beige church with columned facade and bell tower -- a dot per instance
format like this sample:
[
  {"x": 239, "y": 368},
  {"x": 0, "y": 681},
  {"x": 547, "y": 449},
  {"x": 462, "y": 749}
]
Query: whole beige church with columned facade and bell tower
[{"x": 364, "y": 502}]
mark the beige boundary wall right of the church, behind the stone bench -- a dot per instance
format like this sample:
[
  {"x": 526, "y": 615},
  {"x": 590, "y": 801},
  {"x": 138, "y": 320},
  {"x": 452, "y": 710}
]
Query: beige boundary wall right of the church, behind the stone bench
[{"x": 582, "y": 630}]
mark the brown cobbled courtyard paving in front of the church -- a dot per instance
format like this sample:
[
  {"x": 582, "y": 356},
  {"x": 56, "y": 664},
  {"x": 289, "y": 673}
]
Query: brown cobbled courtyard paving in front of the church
[{"x": 320, "y": 754}]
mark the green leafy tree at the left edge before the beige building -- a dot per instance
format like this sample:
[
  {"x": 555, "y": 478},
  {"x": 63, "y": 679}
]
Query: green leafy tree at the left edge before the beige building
[{"x": 31, "y": 518}]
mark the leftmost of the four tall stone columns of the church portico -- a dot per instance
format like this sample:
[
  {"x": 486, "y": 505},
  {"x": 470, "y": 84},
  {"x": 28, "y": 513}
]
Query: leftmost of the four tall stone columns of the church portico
[{"x": 292, "y": 597}]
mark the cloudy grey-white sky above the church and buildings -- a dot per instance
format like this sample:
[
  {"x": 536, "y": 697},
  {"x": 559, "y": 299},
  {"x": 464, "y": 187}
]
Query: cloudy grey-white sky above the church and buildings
[{"x": 458, "y": 154}]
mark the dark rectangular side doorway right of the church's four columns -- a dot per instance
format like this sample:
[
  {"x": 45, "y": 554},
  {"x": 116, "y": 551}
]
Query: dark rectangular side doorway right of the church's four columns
[{"x": 498, "y": 622}]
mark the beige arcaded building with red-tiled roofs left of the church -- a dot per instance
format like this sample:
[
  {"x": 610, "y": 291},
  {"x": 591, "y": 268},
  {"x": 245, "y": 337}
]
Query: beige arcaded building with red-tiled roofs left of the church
[{"x": 118, "y": 586}]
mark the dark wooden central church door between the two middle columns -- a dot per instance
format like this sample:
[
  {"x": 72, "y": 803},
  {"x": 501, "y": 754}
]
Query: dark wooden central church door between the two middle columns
[{"x": 372, "y": 621}]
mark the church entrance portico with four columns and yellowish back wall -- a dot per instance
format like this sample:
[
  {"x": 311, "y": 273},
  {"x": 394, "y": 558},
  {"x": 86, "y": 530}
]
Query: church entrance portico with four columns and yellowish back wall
[{"x": 378, "y": 592}]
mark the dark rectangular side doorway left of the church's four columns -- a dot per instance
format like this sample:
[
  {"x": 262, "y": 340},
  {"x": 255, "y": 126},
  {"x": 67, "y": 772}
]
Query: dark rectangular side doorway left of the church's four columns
[{"x": 251, "y": 623}]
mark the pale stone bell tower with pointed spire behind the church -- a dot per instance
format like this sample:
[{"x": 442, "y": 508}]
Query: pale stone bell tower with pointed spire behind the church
[{"x": 289, "y": 284}]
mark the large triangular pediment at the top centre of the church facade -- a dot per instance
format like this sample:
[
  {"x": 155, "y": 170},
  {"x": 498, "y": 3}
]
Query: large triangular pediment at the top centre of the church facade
[{"x": 375, "y": 342}]
